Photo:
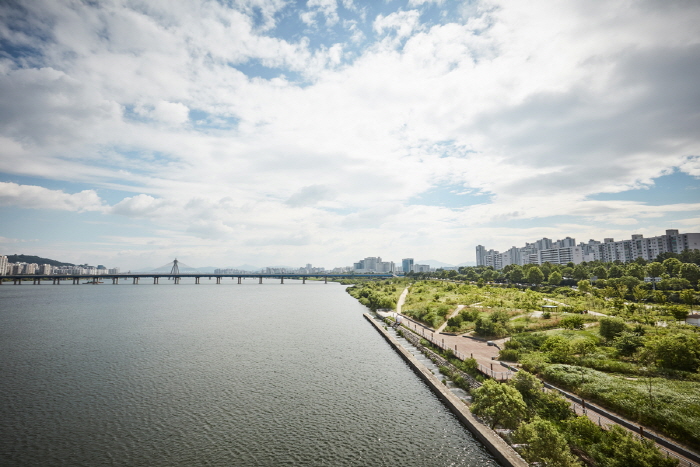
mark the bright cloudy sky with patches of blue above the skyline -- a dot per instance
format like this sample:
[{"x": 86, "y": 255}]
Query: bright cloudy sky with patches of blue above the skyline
[{"x": 280, "y": 132}]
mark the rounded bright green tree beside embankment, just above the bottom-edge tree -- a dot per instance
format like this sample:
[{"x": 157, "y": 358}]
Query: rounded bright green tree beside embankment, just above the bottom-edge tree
[{"x": 499, "y": 404}]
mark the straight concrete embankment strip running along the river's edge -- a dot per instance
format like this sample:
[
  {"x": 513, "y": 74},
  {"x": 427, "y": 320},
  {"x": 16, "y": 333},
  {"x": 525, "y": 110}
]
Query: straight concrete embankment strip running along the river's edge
[{"x": 505, "y": 454}]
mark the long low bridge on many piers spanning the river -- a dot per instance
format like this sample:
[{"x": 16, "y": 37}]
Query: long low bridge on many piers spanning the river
[{"x": 36, "y": 279}]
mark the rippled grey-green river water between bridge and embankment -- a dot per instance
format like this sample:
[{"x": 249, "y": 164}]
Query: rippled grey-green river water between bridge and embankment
[{"x": 216, "y": 375}]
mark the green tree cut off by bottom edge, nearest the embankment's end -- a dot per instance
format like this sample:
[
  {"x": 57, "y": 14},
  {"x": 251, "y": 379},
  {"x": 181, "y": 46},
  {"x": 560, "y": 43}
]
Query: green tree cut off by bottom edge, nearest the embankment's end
[{"x": 545, "y": 444}]
